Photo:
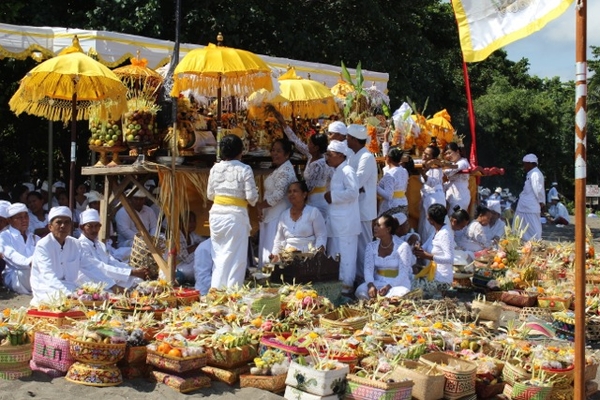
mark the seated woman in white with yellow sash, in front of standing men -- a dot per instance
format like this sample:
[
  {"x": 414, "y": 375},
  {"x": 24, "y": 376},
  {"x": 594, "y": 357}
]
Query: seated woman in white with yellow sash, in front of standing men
[{"x": 388, "y": 262}]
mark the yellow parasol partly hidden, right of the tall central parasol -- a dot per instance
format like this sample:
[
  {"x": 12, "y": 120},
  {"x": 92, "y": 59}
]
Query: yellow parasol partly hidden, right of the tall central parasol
[{"x": 307, "y": 98}]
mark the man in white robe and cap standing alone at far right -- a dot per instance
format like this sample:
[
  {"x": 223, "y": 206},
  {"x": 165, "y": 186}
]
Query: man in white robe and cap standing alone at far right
[{"x": 532, "y": 201}]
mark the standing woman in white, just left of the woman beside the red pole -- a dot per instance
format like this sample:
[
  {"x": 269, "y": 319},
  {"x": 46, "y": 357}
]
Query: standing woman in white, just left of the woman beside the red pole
[{"x": 432, "y": 191}]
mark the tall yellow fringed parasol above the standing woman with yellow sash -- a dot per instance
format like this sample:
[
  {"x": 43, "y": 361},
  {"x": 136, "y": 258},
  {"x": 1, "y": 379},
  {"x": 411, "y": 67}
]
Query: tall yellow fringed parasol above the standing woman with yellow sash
[{"x": 217, "y": 71}]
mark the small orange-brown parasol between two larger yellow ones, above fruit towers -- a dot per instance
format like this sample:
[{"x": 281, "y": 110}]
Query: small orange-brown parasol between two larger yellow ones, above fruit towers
[{"x": 140, "y": 80}]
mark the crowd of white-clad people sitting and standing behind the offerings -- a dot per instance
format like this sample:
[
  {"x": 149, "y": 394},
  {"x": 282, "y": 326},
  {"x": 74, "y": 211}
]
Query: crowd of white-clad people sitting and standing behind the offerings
[{"x": 341, "y": 206}]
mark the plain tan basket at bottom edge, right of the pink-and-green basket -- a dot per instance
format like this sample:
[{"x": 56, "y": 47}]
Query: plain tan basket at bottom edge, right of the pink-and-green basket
[{"x": 429, "y": 384}]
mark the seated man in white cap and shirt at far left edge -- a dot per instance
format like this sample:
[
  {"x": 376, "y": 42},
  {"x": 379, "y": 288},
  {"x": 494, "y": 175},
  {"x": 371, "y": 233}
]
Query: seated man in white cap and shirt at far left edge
[{"x": 17, "y": 247}]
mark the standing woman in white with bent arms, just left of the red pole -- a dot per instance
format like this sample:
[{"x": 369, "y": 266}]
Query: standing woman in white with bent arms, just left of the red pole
[{"x": 456, "y": 170}]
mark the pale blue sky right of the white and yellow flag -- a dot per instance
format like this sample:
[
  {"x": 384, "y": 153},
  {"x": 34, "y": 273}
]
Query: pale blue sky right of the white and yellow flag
[{"x": 551, "y": 51}]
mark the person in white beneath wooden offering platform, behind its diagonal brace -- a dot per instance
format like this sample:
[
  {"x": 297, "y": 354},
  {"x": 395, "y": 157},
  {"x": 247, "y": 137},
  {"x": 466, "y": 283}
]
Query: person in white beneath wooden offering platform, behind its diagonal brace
[{"x": 126, "y": 228}]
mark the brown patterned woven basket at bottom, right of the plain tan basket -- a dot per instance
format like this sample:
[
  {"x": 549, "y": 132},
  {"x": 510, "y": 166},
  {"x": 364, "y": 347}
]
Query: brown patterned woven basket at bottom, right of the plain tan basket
[{"x": 460, "y": 374}]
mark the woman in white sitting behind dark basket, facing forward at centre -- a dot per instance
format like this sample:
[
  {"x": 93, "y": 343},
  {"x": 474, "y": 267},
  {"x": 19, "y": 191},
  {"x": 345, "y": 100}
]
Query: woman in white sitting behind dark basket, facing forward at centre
[{"x": 301, "y": 227}]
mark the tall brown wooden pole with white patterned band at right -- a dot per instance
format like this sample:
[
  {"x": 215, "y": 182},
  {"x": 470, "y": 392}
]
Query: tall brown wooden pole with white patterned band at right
[{"x": 580, "y": 181}]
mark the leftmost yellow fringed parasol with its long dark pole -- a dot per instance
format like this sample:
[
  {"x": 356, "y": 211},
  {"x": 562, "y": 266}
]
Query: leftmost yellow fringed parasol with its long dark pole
[{"x": 65, "y": 88}]
